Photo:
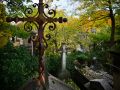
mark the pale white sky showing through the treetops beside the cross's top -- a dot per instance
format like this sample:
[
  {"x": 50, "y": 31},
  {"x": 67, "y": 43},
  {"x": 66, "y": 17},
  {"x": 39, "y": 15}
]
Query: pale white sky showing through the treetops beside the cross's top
[{"x": 65, "y": 5}]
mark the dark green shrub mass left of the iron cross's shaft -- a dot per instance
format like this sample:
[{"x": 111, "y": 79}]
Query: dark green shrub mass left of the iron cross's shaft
[{"x": 17, "y": 66}]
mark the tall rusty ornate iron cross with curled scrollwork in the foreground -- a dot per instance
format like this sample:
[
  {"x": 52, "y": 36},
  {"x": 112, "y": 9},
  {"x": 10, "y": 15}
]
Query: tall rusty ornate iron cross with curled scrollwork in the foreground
[{"x": 40, "y": 20}]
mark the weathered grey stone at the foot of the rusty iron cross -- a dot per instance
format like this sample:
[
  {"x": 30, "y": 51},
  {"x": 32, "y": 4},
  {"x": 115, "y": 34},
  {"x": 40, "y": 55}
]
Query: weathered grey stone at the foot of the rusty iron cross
[{"x": 54, "y": 84}]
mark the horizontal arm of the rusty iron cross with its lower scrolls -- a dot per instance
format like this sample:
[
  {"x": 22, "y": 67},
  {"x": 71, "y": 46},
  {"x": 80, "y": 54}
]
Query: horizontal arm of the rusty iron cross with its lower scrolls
[{"x": 40, "y": 21}]
